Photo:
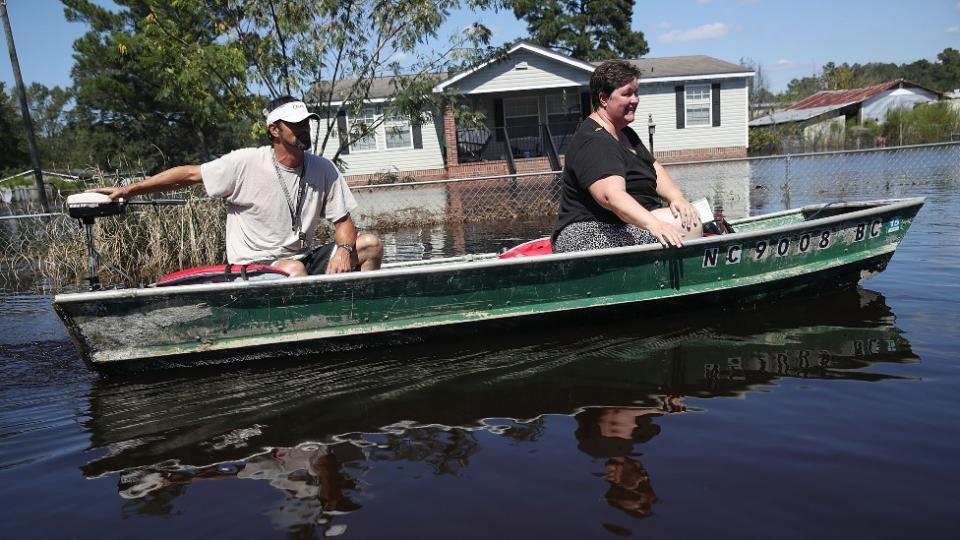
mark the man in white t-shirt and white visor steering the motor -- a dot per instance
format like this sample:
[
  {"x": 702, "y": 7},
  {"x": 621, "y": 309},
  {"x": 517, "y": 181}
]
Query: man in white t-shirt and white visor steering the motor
[{"x": 276, "y": 197}]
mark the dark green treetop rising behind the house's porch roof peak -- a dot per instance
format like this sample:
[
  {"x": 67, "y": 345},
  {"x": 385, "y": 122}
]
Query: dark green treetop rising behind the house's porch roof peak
[{"x": 584, "y": 29}]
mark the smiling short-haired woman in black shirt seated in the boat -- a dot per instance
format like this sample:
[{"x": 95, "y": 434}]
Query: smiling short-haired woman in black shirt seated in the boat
[{"x": 613, "y": 188}]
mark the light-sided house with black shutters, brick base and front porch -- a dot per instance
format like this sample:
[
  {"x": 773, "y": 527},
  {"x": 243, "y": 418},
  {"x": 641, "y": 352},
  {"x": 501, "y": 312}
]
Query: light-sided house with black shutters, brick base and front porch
[{"x": 532, "y": 100}]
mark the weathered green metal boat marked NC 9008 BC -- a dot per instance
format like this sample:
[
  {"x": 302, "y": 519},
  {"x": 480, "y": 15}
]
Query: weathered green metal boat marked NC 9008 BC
[{"x": 810, "y": 249}]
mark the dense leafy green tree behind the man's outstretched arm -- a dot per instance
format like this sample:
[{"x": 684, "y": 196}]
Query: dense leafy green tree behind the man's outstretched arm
[{"x": 159, "y": 75}]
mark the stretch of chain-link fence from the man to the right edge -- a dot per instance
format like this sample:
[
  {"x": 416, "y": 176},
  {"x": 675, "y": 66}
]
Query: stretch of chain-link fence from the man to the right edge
[{"x": 736, "y": 187}]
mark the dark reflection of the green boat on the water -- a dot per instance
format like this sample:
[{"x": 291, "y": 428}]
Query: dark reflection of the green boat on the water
[{"x": 183, "y": 428}]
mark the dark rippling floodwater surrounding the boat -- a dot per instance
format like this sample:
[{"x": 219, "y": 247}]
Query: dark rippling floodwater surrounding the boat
[{"x": 831, "y": 417}]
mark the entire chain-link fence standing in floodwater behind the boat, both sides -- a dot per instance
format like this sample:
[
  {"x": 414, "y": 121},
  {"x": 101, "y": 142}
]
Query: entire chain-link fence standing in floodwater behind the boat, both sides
[{"x": 148, "y": 242}]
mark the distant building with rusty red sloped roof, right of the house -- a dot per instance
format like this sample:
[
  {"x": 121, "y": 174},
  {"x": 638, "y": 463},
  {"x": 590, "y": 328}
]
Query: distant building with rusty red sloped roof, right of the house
[{"x": 822, "y": 116}]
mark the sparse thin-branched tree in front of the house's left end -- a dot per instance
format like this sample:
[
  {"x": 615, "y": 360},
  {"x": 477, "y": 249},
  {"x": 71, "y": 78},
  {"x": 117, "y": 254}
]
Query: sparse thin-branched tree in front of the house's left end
[{"x": 335, "y": 51}]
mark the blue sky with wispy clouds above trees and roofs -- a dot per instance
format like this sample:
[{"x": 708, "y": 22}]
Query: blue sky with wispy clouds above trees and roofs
[{"x": 788, "y": 39}]
